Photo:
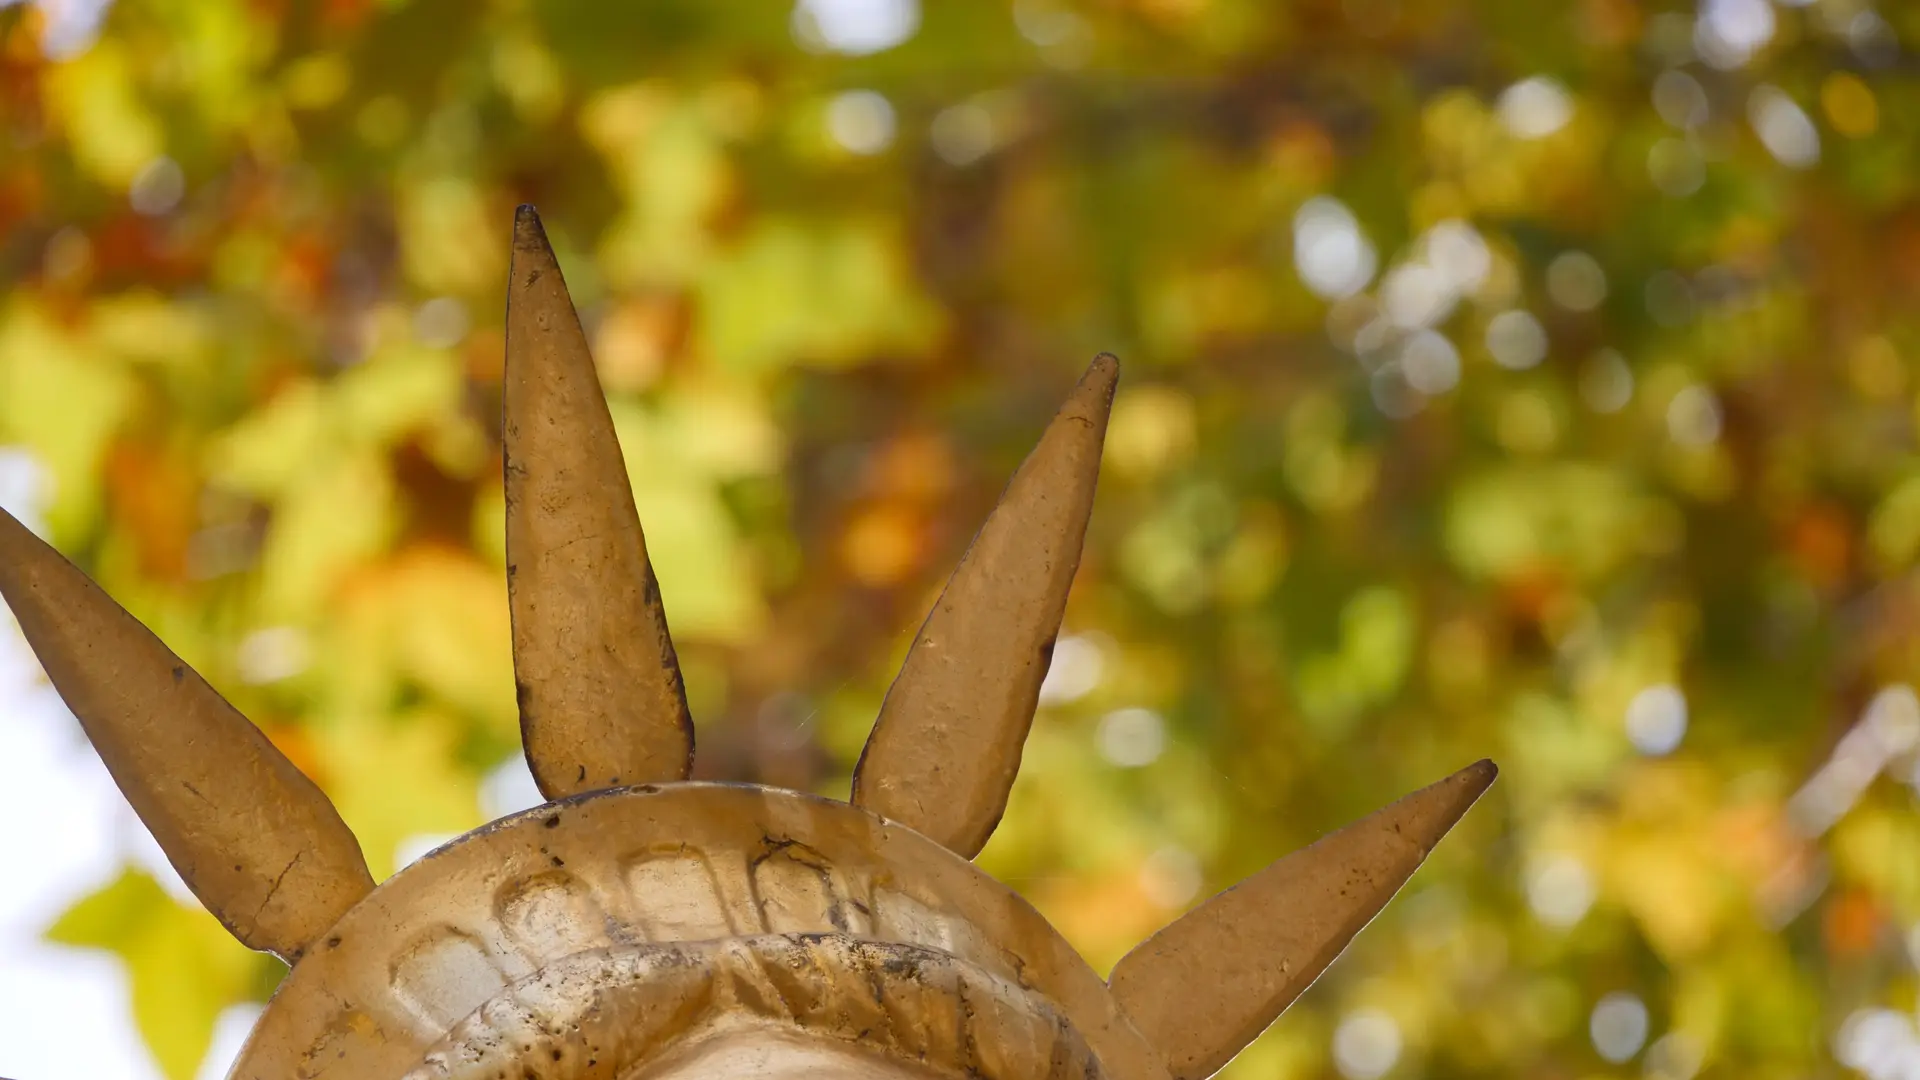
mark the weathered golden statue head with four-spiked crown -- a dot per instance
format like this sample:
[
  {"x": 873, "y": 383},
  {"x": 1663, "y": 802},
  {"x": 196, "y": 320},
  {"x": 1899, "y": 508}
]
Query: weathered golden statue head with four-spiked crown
[{"x": 646, "y": 927}]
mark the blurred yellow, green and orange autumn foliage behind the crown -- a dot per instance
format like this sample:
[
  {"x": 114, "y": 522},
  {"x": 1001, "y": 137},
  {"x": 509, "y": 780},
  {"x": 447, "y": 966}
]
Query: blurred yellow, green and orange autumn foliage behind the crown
[{"x": 1502, "y": 380}]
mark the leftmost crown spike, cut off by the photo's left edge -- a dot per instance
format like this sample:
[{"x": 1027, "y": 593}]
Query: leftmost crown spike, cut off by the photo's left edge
[{"x": 256, "y": 841}]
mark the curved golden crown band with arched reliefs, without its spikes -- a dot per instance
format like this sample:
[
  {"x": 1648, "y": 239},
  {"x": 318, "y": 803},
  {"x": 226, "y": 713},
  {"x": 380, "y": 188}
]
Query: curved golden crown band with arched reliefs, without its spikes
[{"x": 663, "y": 912}]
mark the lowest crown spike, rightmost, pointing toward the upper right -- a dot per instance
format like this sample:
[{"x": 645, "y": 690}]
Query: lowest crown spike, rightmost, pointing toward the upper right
[{"x": 1211, "y": 983}]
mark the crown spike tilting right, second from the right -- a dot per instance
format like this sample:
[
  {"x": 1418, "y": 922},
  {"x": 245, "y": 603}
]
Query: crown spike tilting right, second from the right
[{"x": 948, "y": 743}]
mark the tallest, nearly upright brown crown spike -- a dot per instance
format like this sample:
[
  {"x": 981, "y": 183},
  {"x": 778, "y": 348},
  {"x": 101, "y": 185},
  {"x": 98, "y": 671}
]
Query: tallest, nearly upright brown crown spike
[{"x": 602, "y": 702}]
